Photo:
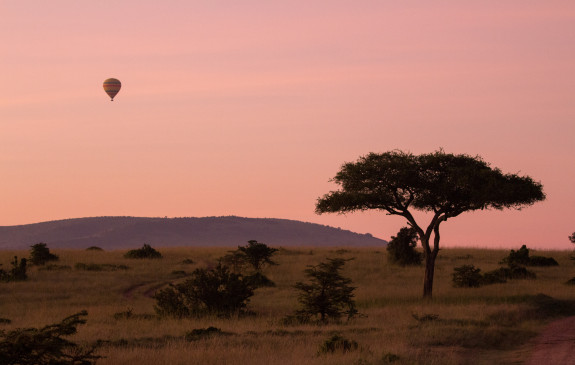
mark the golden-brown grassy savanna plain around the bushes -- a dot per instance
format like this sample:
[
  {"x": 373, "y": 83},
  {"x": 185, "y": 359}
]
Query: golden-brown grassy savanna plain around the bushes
[{"x": 490, "y": 324}]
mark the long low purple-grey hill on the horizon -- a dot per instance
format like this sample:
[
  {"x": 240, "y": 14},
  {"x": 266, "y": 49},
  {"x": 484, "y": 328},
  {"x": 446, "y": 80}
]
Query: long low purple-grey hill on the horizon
[{"x": 132, "y": 232}]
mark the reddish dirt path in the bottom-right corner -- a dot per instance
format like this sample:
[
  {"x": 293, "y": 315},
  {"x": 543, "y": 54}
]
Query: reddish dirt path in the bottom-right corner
[{"x": 555, "y": 345}]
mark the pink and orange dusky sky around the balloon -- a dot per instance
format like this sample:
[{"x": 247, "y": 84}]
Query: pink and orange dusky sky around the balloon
[{"x": 249, "y": 108}]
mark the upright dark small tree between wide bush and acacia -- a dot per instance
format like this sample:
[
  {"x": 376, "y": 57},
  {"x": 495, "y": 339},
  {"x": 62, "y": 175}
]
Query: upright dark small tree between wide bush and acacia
[{"x": 328, "y": 295}]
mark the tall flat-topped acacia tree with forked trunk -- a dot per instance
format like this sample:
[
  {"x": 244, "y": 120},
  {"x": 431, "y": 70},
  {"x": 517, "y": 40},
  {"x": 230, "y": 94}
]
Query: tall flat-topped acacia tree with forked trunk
[{"x": 444, "y": 185}]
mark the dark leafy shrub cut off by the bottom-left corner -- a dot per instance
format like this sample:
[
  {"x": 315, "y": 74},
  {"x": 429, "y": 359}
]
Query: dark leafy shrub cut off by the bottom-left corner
[{"x": 46, "y": 345}]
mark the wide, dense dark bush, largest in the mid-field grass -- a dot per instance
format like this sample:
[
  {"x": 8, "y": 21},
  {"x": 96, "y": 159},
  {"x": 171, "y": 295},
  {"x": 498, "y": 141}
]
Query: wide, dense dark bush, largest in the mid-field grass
[{"x": 217, "y": 291}]
